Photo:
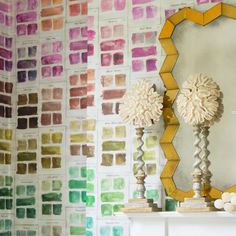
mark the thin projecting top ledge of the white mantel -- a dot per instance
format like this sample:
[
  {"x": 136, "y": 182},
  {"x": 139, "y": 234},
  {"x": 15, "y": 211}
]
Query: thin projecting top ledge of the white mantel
[{"x": 174, "y": 214}]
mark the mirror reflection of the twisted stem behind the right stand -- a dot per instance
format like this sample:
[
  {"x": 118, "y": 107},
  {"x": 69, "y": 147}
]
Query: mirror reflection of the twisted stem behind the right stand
[{"x": 206, "y": 174}]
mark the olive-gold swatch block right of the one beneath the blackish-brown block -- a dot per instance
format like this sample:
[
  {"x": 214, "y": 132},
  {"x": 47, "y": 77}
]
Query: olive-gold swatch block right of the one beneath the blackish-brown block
[{"x": 52, "y": 154}]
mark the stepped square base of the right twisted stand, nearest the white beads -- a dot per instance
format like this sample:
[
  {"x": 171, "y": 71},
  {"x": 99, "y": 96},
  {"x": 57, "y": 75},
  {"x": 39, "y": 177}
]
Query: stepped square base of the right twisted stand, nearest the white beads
[{"x": 195, "y": 205}]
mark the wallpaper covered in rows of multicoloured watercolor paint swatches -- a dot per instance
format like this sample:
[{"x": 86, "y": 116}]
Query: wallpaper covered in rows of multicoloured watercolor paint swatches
[{"x": 66, "y": 159}]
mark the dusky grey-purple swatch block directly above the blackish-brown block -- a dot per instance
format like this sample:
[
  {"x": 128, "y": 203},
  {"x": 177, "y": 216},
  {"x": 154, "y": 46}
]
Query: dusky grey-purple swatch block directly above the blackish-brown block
[{"x": 27, "y": 63}]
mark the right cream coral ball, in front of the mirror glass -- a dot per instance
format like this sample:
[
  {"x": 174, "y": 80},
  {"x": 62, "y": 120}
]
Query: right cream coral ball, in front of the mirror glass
[{"x": 198, "y": 102}]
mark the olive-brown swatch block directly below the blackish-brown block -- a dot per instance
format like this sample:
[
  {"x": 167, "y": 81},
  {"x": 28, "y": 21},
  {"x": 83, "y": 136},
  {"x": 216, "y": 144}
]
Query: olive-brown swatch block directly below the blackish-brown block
[{"x": 27, "y": 155}]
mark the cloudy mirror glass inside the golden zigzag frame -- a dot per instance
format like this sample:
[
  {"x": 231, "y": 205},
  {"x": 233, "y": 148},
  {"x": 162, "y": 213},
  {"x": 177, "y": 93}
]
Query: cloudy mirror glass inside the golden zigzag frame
[{"x": 210, "y": 50}]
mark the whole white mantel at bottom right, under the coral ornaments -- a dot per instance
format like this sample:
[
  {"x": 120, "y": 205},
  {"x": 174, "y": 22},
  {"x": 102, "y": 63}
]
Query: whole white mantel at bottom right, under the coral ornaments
[{"x": 218, "y": 223}]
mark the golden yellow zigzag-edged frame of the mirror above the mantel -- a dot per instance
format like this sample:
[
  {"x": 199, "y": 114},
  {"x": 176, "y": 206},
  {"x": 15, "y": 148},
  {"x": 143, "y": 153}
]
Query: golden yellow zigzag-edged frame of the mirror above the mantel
[{"x": 171, "y": 121}]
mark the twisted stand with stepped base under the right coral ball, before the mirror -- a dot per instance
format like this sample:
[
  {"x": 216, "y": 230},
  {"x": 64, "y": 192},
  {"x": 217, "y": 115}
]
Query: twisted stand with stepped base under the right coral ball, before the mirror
[{"x": 197, "y": 203}]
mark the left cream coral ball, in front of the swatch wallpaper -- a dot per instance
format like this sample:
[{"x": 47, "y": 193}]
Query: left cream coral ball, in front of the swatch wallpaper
[{"x": 141, "y": 105}]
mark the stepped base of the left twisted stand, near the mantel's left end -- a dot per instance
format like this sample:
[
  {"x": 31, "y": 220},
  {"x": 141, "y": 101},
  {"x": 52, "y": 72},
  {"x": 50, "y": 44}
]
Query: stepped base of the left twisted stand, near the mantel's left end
[{"x": 140, "y": 205}]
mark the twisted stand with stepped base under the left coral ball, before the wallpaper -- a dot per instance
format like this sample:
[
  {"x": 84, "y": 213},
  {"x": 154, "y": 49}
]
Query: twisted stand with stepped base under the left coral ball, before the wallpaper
[{"x": 140, "y": 203}]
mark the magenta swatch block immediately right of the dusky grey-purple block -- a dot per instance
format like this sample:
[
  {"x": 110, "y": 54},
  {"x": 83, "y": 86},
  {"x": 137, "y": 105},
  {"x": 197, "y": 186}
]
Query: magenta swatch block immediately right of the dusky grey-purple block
[{"x": 52, "y": 58}]
